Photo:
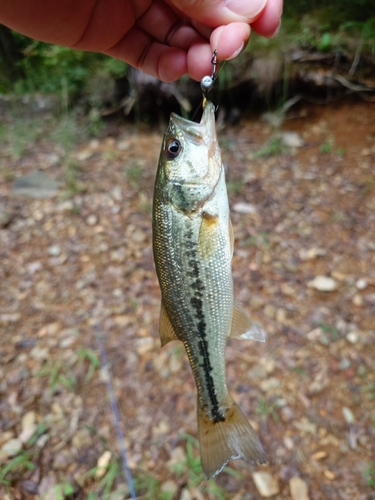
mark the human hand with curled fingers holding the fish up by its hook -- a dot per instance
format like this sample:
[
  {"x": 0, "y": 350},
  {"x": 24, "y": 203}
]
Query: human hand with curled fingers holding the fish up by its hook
[{"x": 164, "y": 38}]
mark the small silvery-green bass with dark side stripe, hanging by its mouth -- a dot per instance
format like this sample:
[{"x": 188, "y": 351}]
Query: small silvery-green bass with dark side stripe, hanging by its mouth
[{"x": 193, "y": 249}]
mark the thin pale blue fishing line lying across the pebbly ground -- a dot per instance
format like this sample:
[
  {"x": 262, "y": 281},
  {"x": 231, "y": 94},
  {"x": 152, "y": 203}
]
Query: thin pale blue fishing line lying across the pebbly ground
[{"x": 115, "y": 412}]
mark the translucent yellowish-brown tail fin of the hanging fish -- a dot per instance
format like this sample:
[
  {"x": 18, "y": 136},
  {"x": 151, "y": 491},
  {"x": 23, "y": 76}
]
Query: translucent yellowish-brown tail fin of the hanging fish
[{"x": 227, "y": 440}]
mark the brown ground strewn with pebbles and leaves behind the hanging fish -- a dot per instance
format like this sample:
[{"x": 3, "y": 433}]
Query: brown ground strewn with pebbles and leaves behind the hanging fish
[{"x": 76, "y": 259}]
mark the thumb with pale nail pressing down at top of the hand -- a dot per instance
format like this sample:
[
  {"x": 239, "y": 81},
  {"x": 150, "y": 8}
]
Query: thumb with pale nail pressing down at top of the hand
[{"x": 218, "y": 12}]
